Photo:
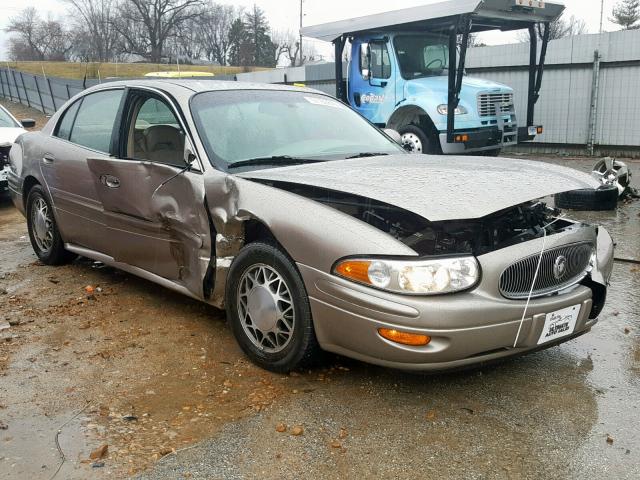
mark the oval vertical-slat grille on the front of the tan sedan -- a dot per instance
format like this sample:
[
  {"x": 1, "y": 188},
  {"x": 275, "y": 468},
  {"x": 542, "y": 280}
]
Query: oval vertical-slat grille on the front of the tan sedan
[{"x": 515, "y": 281}]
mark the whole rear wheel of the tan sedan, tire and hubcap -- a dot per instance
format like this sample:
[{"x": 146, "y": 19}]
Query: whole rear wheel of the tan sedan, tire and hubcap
[{"x": 43, "y": 230}]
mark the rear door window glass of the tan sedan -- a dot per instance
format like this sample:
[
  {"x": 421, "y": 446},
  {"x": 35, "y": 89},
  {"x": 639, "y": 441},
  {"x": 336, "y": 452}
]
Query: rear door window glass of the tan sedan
[{"x": 93, "y": 127}]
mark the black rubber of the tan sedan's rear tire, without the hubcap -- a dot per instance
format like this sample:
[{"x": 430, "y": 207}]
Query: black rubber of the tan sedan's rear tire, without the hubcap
[{"x": 56, "y": 253}]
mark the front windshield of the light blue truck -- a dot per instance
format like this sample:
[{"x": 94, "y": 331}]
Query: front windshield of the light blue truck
[{"x": 422, "y": 55}]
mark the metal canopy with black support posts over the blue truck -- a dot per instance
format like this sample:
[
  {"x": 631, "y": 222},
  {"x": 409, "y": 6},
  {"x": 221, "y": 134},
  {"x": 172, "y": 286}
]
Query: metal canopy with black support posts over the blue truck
[{"x": 454, "y": 18}]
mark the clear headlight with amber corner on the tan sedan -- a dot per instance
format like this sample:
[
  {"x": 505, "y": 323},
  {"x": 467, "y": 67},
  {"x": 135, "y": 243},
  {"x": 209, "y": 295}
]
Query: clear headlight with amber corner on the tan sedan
[{"x": 423, "y": 277}]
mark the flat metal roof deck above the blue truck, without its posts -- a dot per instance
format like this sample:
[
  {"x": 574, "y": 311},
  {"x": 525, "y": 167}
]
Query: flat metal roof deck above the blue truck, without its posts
[{"x": 505, "y": 15}]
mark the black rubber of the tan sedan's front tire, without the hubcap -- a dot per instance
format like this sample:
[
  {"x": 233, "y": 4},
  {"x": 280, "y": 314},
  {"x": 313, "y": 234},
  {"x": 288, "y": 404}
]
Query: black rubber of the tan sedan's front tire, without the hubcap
[{"x": 302, "y": 350}]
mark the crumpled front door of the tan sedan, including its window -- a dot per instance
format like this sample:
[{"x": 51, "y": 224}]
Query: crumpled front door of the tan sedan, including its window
[{"x": 155, "y": 210}]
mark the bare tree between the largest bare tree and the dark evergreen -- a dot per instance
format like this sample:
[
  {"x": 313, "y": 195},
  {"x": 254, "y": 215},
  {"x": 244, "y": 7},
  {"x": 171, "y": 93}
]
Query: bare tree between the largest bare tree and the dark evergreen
[{"x": 214, "y": 26}]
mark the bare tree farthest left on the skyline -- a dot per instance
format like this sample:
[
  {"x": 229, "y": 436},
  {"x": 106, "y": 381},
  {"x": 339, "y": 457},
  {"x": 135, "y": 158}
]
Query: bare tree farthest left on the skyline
[{"x": 37, "y": 39}]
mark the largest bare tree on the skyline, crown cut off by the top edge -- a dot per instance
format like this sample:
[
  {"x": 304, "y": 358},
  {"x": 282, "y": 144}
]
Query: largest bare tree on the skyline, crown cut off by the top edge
[{"x": 145, "y": 25}]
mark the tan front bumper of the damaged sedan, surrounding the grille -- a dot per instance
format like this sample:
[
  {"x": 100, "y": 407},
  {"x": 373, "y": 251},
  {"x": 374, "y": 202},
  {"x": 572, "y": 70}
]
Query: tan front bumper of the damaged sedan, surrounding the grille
[{"x": 465, "y": 328}]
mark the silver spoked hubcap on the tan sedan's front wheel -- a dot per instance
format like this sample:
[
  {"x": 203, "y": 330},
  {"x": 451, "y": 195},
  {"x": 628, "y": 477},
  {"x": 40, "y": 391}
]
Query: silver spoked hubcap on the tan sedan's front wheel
[{"x": 265, "y": 308}]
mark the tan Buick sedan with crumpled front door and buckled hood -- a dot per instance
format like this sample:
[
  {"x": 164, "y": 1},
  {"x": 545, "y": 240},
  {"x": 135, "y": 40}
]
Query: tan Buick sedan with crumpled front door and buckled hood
[{"x": 311, "y": 226}]
